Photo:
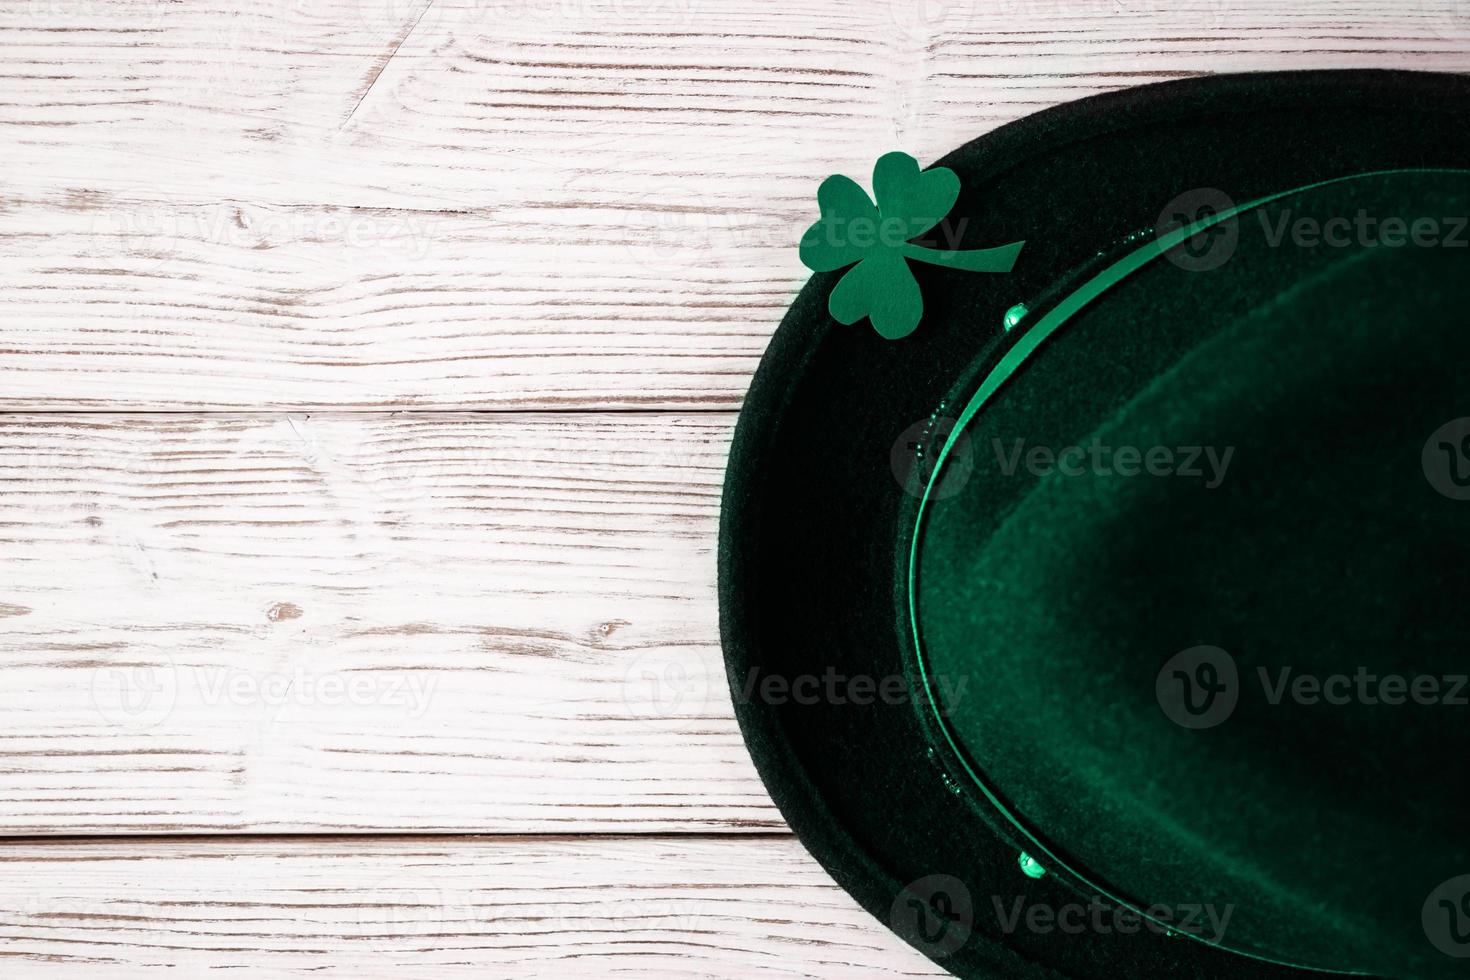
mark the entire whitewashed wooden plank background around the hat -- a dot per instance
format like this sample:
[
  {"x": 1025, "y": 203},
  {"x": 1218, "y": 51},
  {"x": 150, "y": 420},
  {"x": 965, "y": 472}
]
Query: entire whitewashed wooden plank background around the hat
[{"x": 367, "y": 372}]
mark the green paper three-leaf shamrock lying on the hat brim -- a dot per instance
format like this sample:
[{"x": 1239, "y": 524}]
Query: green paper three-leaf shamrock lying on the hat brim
[{"x": 880, "y": 240}]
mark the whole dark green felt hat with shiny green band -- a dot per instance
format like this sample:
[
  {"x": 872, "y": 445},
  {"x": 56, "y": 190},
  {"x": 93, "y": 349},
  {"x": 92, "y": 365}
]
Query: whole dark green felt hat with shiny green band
[{"x": 1096, "y": 543}]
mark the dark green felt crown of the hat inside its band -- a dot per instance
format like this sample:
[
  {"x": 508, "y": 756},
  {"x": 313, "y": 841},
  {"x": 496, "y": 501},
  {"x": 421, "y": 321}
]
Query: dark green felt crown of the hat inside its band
[{"x": 1205, "y": 587}]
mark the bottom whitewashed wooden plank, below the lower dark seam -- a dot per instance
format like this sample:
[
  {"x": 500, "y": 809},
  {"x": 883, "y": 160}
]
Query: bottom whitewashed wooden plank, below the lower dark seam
[{"x": 465, "y": 909}]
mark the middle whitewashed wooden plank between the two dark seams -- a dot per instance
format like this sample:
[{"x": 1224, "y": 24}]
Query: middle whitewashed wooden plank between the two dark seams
[{"x": 459, "y": 624}]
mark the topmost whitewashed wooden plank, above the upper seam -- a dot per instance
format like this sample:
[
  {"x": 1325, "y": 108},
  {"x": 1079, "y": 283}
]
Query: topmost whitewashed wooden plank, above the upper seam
[{"x": 512, "y": 203}]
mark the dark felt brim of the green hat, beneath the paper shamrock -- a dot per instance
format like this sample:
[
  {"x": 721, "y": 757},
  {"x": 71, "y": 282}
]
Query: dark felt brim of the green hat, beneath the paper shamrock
[{"x": 814, "y": 549}]
